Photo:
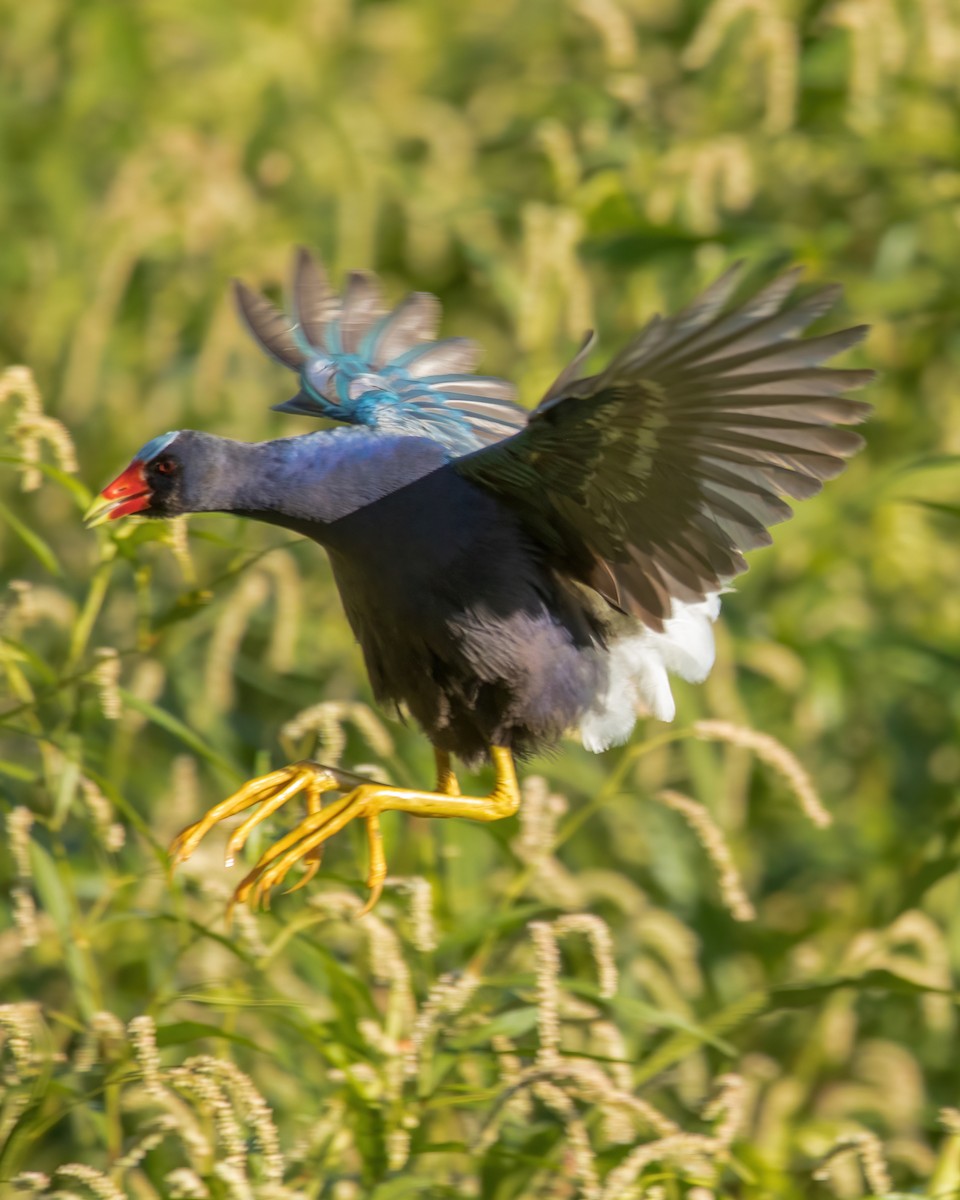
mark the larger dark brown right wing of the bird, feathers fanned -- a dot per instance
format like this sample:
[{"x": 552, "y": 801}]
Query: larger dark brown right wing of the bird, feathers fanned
[{"x": 650, "y": 481}]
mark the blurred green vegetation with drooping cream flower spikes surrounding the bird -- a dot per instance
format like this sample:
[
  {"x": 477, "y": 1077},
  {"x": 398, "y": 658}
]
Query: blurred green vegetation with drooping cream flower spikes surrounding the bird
[{"x": 542, "y": 167}]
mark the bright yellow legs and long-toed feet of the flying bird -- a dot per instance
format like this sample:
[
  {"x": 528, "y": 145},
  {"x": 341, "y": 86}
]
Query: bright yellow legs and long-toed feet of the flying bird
[{"x": 363, "y": 800}]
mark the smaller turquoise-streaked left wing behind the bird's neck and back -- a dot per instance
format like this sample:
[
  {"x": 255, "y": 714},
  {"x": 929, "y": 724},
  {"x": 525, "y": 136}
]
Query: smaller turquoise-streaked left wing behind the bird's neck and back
[{"x": 364, "y": 365}]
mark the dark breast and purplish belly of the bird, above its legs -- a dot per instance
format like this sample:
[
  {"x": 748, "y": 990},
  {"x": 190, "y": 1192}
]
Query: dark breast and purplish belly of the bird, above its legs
[{"x": 460, "y": 621}]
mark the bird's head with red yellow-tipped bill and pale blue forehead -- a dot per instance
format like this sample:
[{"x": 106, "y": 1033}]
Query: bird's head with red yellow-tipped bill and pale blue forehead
[{"x": 154, "y": 485}]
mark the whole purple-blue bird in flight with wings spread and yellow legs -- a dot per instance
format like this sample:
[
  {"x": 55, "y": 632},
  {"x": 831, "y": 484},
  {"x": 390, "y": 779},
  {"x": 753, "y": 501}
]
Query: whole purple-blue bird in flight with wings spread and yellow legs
[{"x": 511, "y": 575}]
